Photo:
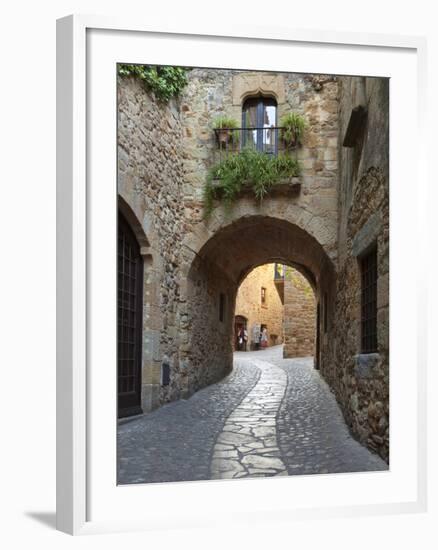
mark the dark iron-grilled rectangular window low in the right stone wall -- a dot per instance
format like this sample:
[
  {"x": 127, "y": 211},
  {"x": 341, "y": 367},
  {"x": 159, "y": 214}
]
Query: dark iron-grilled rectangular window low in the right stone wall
[{"x": 369, "y": 302}]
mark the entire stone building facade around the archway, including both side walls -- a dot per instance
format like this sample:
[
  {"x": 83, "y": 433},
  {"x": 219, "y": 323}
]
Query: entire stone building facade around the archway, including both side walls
[{"x": 192, "y": 267}]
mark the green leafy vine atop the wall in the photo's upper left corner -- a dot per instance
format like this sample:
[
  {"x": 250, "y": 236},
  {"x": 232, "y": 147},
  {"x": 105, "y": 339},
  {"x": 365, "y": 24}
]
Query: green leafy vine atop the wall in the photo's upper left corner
[{"x": 165, "y": 82}]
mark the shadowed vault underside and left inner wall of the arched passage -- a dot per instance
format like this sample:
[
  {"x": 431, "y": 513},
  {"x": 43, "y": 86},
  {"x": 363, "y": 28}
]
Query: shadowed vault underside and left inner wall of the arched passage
[{"x": 215, "y": 274}]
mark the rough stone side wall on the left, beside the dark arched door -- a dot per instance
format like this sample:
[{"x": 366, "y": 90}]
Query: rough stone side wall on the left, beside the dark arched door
[{"x": 150, "y": 180}]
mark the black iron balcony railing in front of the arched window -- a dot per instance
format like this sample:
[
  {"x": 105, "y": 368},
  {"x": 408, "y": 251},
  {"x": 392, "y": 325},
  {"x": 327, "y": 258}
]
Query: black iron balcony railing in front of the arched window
[{"x": 263, "y": 140}]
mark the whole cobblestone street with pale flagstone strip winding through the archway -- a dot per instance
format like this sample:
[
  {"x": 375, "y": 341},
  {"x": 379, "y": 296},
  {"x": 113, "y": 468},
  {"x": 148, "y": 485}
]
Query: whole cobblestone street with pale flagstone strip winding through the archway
[{"x": 271, "y": 416}]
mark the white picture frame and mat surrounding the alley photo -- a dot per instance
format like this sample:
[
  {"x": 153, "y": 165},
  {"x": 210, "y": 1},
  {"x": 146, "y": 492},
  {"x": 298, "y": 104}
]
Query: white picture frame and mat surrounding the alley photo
[{"x": 79, "y": 38}]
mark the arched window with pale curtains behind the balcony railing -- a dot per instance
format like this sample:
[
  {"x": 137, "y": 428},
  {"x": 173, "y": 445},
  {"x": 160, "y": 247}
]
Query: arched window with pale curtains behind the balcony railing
[{"x": 259, "y": 121}]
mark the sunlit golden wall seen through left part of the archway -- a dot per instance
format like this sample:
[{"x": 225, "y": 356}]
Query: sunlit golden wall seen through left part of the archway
[{"x": 249, "y": 305}]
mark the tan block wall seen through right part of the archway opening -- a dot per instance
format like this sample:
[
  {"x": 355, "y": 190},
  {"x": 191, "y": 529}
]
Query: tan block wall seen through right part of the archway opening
[{"x": 299, "y": 316}]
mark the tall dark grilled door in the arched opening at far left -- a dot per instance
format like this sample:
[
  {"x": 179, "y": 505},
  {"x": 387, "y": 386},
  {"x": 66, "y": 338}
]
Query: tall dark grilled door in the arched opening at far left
[{"x": 129, "y": 320}]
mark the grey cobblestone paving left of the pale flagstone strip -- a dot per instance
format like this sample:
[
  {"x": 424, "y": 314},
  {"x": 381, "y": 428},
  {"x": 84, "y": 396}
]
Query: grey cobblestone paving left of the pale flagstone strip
[{"x": 175, "y": 442}]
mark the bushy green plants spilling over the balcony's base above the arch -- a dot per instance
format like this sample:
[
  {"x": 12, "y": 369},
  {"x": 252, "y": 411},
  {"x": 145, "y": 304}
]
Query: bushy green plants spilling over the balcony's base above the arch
[{"x": 249, "y": 168}]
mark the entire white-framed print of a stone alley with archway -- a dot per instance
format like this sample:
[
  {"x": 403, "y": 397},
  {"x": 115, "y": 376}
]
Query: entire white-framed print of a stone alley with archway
[{"x": 235, "y": 337}]
